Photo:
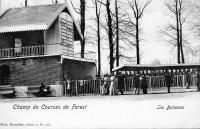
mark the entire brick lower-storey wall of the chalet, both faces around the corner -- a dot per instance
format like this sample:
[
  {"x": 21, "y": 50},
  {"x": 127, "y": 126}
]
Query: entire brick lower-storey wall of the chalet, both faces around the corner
[{"x": 33, "y": 71}]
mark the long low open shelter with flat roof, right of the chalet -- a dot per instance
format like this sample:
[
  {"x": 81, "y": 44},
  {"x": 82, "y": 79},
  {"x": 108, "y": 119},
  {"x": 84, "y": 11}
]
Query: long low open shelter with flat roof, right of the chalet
[{"x": 183, "y": 77}]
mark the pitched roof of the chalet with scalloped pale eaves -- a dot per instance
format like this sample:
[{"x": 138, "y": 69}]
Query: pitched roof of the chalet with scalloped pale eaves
[{"x": 32, "y": 18}]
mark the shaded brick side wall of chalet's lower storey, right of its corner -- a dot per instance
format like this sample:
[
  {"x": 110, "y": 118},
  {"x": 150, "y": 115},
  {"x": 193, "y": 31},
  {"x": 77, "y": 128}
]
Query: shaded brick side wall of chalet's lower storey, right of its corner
[{"x": 78, "y": 69}]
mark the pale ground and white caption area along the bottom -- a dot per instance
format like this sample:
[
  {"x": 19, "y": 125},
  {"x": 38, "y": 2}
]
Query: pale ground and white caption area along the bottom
[{"x": 122, "y": 111}]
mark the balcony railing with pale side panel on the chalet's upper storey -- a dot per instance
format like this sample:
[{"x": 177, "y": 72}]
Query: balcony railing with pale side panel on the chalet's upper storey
[{"x": 50, "y": 49}]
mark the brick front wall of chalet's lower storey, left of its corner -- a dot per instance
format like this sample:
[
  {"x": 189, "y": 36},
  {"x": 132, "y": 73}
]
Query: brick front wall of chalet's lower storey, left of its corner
[{"x": 33, "y": 71}]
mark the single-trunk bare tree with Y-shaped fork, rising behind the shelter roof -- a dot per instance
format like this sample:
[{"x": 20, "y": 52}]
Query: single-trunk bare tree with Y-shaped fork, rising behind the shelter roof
[{"x": 138, "y": 11}]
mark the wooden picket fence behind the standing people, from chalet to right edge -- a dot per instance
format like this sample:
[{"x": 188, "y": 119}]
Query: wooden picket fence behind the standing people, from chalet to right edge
[{"x": 155, "y": 84}]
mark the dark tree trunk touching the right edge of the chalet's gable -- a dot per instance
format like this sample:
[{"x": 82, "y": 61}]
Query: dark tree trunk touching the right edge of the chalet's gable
[{"x": 82, "y": 13}]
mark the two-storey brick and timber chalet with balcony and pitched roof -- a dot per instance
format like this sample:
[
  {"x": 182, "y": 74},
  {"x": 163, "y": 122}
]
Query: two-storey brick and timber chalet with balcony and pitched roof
[{"x": 37, "y": 45}]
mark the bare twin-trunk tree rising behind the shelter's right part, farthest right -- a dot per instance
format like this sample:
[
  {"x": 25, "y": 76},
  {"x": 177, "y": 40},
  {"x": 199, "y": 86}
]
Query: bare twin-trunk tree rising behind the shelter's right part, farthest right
[{"x": 174, "y": 32}]
